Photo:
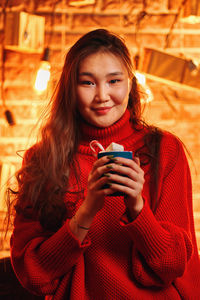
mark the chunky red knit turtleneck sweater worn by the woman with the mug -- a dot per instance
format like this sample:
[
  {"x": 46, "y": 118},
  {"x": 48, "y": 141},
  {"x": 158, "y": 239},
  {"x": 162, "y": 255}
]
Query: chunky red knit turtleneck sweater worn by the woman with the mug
[{"x": 153, "y": 257}]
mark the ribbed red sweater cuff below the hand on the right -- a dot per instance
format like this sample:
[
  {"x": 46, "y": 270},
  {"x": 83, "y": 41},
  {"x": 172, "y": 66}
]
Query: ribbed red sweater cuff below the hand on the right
[{"x": 147, "y": 233}]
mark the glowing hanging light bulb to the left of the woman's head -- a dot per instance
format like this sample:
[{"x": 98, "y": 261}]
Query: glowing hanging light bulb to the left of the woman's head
[{"x": 42, "y": 77}]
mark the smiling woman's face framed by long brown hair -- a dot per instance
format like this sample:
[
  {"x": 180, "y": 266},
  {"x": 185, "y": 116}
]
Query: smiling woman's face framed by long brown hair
[{"x": 103, "y": 89}]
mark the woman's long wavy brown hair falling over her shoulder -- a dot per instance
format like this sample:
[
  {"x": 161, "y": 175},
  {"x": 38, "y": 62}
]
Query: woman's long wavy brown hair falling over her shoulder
[{"x": 48, "y": 163}]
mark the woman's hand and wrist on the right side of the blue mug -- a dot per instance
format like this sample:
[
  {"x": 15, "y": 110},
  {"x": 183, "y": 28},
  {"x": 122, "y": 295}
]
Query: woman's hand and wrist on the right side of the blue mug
[{"x": 128, "y": 178}]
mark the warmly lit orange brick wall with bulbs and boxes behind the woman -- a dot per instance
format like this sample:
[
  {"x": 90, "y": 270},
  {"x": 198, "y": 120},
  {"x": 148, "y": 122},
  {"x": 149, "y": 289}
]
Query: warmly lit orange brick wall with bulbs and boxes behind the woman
[{"x": 164, "y": 40}]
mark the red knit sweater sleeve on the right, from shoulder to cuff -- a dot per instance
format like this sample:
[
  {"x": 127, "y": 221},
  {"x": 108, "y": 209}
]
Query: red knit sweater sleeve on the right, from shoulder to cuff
[{"x": 162, "y": 242}]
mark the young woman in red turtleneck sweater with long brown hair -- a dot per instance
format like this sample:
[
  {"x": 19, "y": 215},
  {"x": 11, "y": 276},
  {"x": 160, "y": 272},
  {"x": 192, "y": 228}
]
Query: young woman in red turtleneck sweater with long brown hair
[{"x": 74, "y": 239}]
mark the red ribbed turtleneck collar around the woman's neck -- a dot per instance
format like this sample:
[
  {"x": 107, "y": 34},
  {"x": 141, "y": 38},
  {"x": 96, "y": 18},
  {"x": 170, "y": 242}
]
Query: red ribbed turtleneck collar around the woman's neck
[{"x": 117, "y": 132}]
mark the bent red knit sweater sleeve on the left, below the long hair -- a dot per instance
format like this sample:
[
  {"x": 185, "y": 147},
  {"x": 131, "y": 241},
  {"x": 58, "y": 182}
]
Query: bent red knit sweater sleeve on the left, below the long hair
[{"x": 40, "y": 259}]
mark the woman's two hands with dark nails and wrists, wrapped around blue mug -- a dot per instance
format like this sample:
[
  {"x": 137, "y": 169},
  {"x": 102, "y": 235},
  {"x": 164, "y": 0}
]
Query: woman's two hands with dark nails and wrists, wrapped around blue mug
[{"x": 109, "y": 175}]
